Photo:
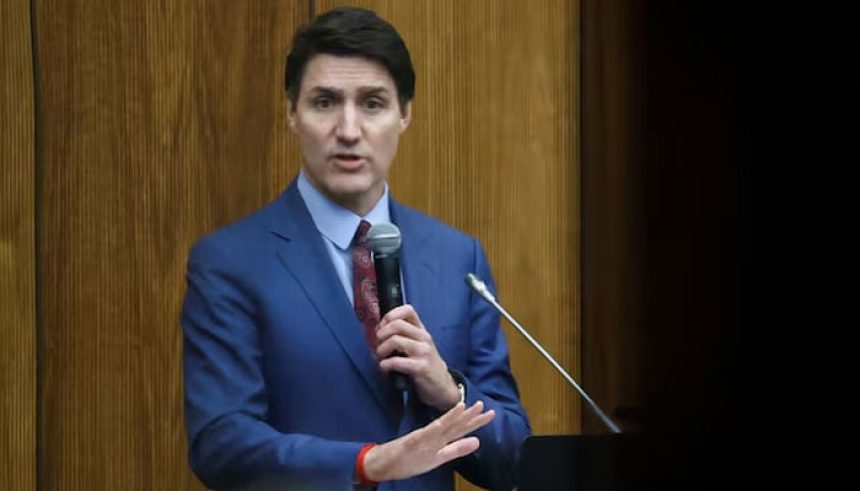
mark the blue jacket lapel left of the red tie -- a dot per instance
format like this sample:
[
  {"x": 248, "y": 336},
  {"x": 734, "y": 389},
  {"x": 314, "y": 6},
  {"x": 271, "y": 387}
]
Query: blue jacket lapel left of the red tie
[{"x": 301, "y": 250}]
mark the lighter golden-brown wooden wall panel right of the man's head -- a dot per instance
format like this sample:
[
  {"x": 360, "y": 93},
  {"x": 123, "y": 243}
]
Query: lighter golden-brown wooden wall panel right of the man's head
[{"x": 493, "y": 151}]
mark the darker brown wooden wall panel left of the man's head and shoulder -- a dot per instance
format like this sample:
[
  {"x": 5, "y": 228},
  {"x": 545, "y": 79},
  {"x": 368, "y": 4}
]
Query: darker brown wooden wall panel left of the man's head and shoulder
[{"x": 160, "y": 121}]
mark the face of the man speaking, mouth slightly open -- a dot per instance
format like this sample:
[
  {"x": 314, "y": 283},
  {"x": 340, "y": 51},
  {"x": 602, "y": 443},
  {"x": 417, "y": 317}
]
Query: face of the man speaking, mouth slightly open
[{"x": 349, "y": 121}]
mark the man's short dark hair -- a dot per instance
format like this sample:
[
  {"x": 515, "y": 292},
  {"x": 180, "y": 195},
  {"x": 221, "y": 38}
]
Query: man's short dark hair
[{"x": 351, "y": 31}]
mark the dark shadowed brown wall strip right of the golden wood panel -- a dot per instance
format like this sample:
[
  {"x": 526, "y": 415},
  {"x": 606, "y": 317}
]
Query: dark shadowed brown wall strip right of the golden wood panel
[{"x": 612, "y": 147}]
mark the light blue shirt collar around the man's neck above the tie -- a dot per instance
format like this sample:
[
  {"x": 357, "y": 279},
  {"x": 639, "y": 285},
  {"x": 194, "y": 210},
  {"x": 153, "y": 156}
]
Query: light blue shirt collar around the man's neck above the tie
[{"x": 335, "y": 222}]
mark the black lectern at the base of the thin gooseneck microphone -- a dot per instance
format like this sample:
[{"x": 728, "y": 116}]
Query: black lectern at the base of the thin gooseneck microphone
[{"x": 583, "y": 463}]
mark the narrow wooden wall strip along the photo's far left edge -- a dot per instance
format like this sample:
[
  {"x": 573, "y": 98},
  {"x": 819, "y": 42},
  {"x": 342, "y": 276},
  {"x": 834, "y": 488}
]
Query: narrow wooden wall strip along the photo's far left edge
[{"x": 17, "y": 250}]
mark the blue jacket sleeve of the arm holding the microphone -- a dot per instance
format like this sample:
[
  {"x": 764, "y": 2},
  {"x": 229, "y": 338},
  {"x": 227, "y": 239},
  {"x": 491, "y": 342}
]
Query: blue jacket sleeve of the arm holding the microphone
[{"x": 488, "y": 378}]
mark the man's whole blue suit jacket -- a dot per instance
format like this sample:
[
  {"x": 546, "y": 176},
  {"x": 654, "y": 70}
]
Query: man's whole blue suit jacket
[{"x": 279, "y": 381}]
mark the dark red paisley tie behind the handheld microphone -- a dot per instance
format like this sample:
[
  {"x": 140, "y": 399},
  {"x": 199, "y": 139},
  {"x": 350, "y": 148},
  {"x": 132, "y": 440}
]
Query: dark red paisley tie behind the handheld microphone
[{"x": 364, "y": 285}]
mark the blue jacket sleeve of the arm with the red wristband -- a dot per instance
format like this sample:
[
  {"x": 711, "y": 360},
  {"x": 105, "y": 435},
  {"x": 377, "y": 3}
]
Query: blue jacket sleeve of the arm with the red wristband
[{"x": 230, "y": 442}]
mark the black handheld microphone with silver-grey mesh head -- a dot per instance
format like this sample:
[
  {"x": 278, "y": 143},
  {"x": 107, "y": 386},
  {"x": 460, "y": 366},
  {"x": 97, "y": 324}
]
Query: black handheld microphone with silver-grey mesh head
[{"x": 384, "y": 239}]
